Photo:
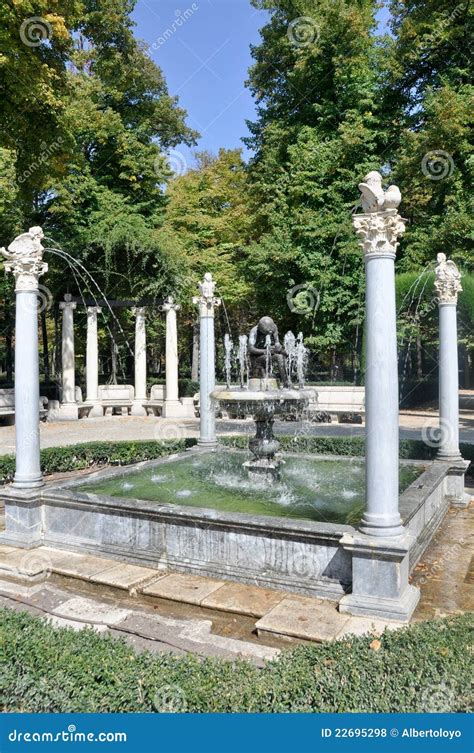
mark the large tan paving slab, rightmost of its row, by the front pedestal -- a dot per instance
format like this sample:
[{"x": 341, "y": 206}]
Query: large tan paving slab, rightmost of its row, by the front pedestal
[{"x": 300, "y": 618}]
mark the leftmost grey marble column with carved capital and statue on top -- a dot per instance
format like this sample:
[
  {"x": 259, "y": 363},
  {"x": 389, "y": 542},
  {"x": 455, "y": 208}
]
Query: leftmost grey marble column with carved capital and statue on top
[{"x": 24, "y": 259}]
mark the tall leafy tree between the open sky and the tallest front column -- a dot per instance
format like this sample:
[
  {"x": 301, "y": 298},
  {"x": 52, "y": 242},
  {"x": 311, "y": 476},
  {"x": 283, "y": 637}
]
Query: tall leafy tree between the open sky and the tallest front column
[{"x": 316, "y": 136}]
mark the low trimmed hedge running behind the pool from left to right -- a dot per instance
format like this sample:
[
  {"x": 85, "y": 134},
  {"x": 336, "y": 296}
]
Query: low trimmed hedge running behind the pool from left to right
[{"x": 80, "y": 456}]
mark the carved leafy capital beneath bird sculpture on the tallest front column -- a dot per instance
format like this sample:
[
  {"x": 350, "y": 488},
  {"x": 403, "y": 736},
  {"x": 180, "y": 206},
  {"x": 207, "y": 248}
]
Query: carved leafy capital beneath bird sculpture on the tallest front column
[{"x": 378, "y": 232}]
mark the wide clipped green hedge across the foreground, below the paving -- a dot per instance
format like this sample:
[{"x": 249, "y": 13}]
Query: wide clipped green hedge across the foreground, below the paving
[{"x": 425, "y": 667}]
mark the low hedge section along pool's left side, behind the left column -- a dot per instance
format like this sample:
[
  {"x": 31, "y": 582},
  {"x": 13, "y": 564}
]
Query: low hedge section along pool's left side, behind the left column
[{"x": 79, "y": 456}]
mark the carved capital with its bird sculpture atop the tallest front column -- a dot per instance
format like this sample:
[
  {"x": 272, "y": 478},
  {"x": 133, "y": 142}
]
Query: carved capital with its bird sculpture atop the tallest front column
[{"x": 380, "y": 224}]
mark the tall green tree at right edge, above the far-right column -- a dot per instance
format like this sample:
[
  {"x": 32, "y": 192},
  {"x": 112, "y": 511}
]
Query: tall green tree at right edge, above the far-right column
[{"x": 428, "y": 99}]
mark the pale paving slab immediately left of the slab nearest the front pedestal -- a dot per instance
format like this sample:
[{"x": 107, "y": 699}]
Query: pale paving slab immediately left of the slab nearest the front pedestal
[{"x": 243, "y": 599}]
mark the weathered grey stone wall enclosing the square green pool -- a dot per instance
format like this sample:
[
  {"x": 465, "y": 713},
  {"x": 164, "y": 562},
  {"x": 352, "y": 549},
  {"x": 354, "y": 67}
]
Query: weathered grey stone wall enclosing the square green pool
[{"x": 275, "y": 551}]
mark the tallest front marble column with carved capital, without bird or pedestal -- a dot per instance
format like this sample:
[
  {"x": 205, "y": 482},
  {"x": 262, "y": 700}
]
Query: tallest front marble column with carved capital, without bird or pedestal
[{"x": 378, "y": 234}]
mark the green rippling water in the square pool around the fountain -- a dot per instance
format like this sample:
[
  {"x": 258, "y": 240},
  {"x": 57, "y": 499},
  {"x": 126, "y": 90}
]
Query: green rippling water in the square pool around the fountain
[{"x": 324, "y": 490}]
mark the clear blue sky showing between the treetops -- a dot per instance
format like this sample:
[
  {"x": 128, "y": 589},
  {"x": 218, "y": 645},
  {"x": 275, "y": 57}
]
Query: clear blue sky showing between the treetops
[{"x": 203, "y": 49}]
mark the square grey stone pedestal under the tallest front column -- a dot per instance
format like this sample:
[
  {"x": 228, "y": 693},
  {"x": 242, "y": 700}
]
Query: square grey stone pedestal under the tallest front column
[{"x": 380, "y": 570}]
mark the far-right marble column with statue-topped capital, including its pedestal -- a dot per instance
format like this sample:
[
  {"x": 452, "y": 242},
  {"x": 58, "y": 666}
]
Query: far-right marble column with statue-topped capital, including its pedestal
[{"x": 448, "y": 286}]
